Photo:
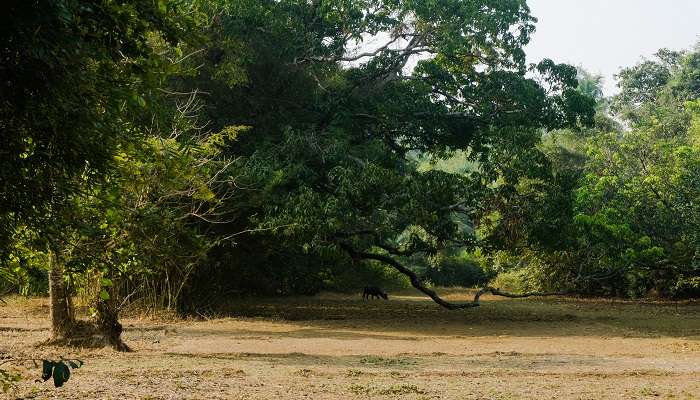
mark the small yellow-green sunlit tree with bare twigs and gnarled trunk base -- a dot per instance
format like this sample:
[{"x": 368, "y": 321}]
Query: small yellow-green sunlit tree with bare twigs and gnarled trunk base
[{"x": 144, "y": 229}]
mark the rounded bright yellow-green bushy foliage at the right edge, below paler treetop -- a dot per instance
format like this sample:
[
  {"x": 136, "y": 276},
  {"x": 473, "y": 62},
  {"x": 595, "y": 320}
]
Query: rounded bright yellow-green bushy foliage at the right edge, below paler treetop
[{"x": 637, "y": 212}]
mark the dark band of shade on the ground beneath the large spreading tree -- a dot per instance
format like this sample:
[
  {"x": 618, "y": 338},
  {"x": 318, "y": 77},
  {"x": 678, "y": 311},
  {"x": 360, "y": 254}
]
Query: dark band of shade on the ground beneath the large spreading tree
[{"x": 341, "y": 317}]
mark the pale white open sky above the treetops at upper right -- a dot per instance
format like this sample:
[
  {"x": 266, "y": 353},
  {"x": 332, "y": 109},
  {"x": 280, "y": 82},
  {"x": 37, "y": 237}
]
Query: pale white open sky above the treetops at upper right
[{"x": 604, "y": 35}]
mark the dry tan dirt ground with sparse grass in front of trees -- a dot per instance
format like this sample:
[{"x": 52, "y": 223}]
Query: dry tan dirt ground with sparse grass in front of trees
[{"x": 340, "y": 347}]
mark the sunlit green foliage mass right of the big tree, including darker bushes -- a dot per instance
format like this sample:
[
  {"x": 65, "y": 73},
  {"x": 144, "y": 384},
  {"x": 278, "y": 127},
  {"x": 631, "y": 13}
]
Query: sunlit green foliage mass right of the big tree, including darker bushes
[{"x": 621, "y": 204}]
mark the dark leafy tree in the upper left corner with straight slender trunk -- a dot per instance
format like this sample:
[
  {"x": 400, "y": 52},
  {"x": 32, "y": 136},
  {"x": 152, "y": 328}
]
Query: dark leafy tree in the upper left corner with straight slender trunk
[{"x": 76, "y": 77}]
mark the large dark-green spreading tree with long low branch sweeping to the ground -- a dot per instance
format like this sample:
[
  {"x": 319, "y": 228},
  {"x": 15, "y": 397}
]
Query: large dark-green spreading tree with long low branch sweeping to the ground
[{"x": 333, "y": 123}]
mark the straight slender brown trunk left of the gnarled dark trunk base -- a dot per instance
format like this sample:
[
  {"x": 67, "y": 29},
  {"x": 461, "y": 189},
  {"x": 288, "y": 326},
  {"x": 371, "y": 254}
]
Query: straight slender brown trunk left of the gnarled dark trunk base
[{"x": 60, "y": 310}]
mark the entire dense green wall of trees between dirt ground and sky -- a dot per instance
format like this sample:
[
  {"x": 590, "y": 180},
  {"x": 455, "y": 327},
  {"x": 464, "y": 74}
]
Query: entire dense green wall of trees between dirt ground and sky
[{"x": 171, "y": 154}]
